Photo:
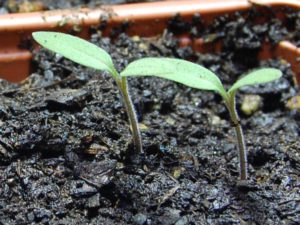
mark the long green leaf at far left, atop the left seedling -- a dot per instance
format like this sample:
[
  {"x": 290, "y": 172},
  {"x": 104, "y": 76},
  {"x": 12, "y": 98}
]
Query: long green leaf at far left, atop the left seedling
[{"x": 77, "y": 50}]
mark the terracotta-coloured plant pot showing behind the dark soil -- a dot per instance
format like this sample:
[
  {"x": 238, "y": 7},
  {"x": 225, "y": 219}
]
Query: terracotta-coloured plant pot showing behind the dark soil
[{"x": 146, "y": 19}]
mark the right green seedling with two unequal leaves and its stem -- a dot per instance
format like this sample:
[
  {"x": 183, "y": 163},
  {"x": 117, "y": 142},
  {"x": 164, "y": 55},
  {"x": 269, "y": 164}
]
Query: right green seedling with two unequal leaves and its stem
[{"x": 196, "y": 76}]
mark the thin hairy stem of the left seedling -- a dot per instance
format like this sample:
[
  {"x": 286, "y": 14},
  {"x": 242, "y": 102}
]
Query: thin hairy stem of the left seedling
[{"x": 123, "y": 86}]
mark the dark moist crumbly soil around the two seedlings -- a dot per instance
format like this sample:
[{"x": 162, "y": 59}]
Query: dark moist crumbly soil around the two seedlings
[{"x": 65, "y": 141}]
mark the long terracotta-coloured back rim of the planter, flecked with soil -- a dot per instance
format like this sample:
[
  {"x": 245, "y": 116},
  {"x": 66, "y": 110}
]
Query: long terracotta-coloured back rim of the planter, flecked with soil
[{"x": 115, "y": 13}]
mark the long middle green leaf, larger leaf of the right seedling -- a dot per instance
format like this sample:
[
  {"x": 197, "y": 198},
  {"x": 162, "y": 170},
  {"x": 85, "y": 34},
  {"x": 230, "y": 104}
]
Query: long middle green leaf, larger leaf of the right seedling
[{"x": 178, "y": 70}]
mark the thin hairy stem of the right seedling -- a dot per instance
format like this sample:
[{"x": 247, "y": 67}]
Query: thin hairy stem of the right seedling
[{"x": 240, "y": 137}]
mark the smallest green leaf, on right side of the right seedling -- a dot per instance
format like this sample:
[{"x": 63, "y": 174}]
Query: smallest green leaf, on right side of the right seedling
[{"x": 260, "y": 76}]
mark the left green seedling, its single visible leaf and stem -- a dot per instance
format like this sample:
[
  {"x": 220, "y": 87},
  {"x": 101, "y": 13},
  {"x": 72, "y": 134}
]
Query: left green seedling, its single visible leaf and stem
[{"x": 90, "y": 55}]
